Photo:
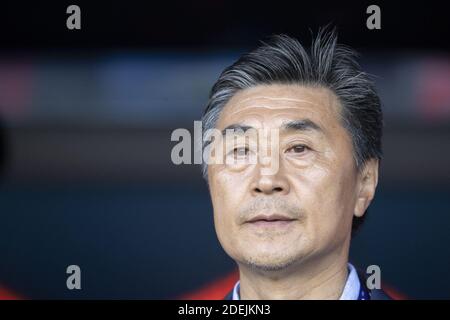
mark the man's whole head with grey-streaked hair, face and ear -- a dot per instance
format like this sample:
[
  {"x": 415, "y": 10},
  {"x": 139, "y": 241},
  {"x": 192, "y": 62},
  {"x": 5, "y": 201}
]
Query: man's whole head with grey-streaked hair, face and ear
[{"x": 328, "y": 121}]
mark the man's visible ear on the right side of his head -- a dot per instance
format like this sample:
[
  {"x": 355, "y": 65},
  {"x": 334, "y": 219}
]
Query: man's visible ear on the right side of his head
[{"x": 367, "y": 183}]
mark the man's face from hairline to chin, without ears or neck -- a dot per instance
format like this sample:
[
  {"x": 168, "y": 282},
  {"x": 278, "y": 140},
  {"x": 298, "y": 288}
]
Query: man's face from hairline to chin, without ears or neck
[{"x": 305, "y": 208}]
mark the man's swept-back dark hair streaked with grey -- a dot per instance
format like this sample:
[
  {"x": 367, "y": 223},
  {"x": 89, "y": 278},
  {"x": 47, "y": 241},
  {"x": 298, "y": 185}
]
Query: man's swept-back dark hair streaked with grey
[{"x": 284, "y": 60}]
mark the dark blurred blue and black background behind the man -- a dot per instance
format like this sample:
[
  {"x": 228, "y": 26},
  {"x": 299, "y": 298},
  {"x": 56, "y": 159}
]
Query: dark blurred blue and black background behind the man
[{"x": 86, "y": 118}]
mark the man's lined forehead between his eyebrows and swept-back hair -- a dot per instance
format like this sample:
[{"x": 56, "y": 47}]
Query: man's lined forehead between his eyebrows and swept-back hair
[{"x": 271, "y": 105}]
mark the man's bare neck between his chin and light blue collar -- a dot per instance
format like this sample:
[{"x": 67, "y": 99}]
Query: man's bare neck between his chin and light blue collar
[{"x": 315, "y": 278}]
